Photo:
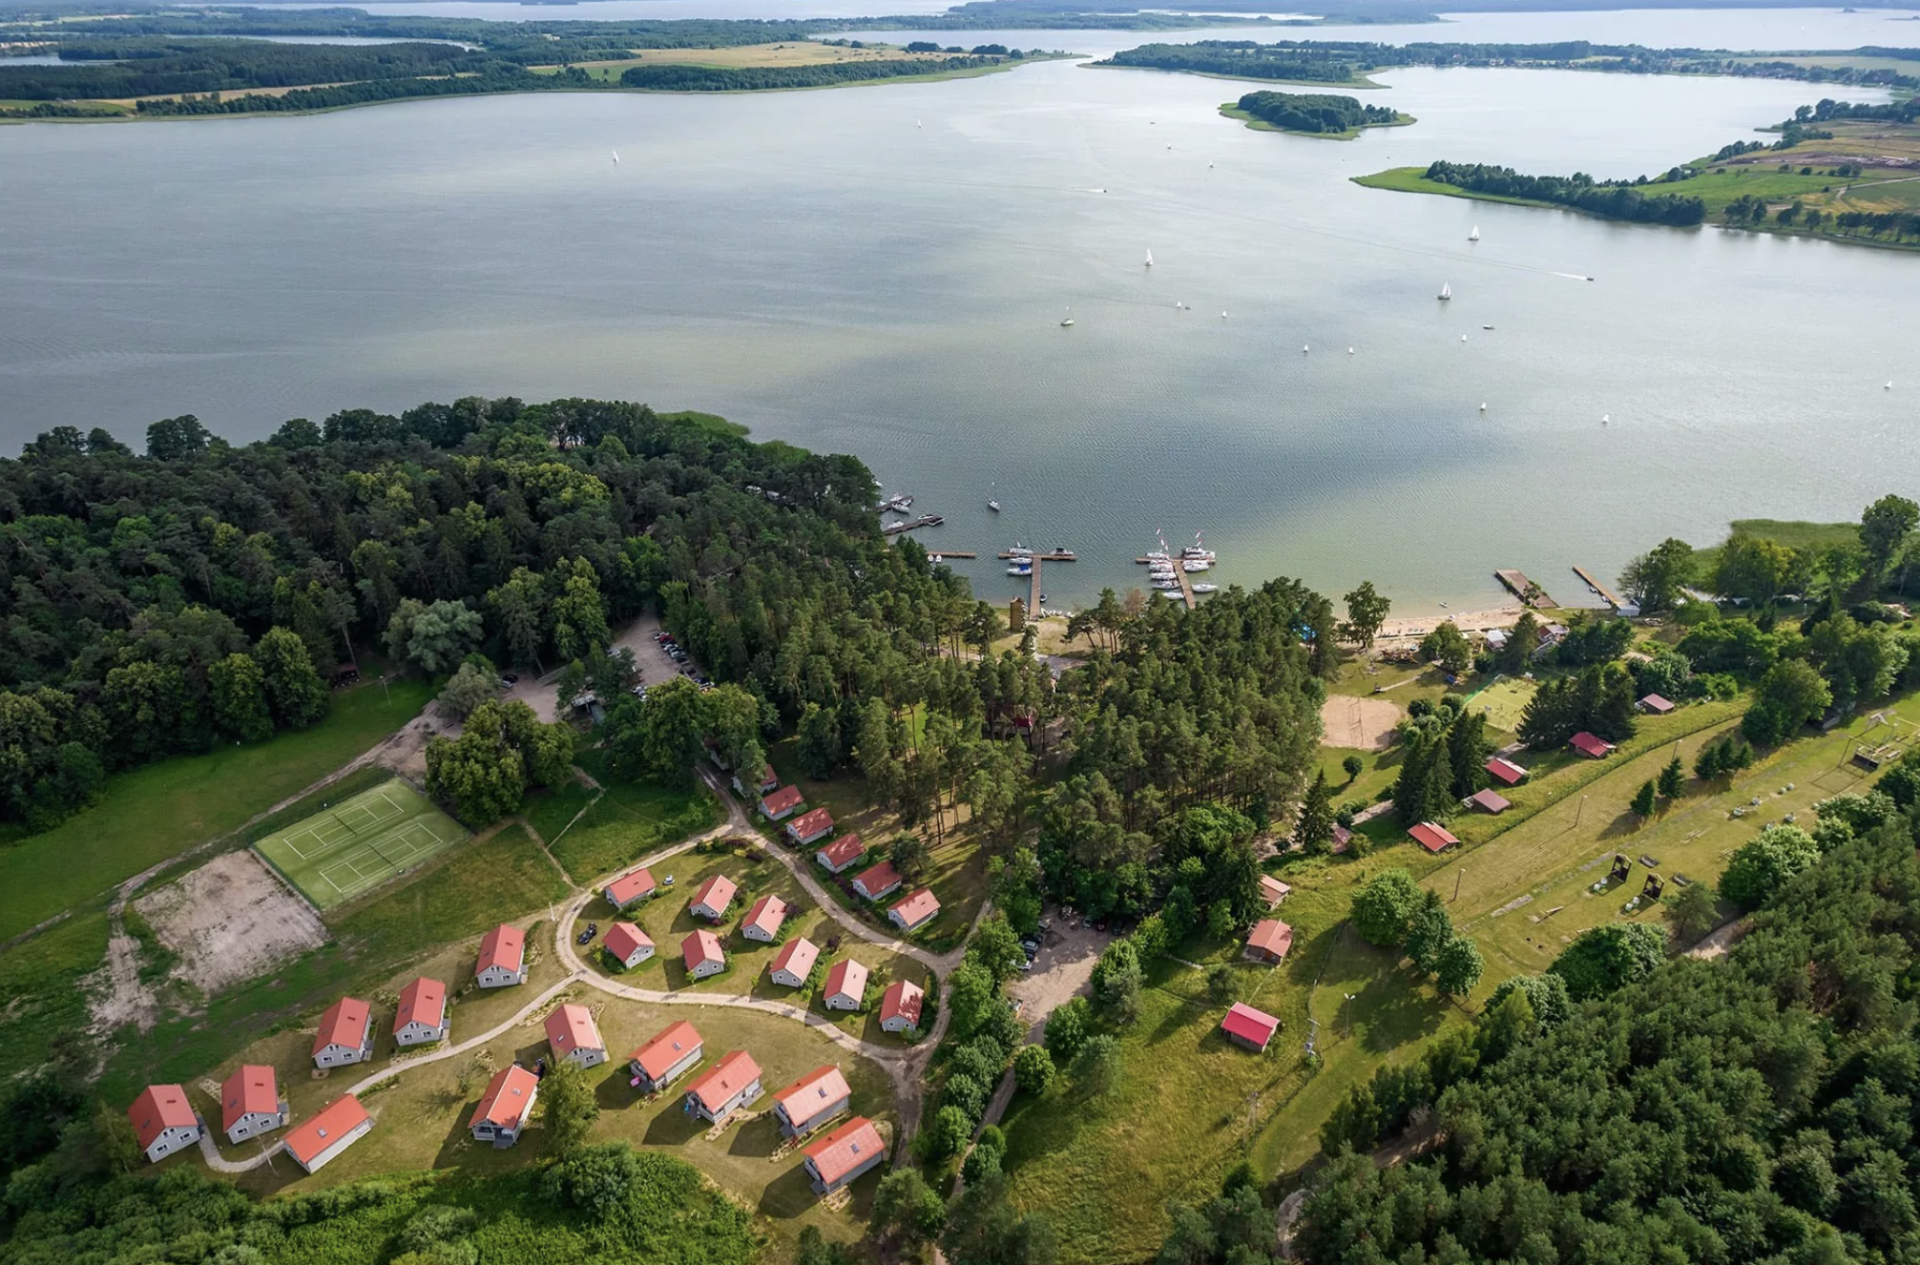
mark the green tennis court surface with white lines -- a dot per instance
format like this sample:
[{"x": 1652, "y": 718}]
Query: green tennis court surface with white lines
[{"x": 360, "y": 844}]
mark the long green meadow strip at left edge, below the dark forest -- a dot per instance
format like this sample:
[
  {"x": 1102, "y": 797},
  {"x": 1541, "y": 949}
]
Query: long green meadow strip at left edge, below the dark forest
[{"x": 162, "y": 809}]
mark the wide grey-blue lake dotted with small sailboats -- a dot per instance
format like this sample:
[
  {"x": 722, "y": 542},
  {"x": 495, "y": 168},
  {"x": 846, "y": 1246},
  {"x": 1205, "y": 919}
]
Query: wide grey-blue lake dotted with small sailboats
[{"x": 884, "y": 272}]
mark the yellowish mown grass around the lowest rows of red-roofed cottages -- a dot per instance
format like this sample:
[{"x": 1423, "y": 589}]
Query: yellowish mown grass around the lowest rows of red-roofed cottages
[{"x": 421, "y": 1118}]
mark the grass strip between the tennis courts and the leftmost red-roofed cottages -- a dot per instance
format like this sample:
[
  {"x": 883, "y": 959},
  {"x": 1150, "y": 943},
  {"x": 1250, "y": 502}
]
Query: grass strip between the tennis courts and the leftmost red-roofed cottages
[{"x": 433, "y": 919}]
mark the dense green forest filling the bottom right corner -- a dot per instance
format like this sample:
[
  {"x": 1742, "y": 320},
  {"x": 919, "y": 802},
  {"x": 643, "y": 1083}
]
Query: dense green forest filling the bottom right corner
[{"x": 1746, "y": 1110}]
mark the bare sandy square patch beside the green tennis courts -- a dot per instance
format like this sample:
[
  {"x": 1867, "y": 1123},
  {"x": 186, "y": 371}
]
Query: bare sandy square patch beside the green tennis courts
[{"x": 229, "y": 922}]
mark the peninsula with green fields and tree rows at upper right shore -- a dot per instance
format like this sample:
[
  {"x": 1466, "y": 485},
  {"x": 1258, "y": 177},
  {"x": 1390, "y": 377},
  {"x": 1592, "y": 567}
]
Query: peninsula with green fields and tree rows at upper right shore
[{"x": 1838, "y": 172}]
